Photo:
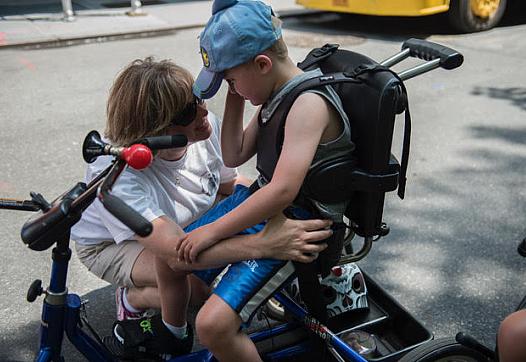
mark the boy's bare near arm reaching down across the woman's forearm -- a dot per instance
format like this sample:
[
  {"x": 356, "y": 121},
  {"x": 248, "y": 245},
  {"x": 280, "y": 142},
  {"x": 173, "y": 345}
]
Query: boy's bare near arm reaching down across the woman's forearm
[{"x": 306, "y": 122}]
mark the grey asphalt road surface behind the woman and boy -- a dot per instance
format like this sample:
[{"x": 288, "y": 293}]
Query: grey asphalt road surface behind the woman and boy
[{"x": 450, "y": 258}]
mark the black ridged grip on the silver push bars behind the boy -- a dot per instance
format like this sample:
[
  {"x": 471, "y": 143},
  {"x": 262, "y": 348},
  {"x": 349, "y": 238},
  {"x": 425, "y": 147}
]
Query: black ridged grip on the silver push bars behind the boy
[{"x": 426, "y": 50}]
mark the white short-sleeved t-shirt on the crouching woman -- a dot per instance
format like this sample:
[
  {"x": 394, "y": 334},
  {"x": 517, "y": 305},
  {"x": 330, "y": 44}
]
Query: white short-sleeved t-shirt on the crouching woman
[{"x": 183, "y": 190}]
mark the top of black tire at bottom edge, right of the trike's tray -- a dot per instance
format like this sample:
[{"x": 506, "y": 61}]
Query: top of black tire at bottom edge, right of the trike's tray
[{"x": 443, "y": 350}]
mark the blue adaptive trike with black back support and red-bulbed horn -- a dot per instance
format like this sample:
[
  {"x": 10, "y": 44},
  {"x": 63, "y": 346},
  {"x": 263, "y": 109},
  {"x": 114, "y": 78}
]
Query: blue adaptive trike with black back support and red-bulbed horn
[{"x": 381, "y": 331}]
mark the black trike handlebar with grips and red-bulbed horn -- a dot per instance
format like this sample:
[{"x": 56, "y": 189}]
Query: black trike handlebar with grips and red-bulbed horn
[{"x": 53, "y": 225}]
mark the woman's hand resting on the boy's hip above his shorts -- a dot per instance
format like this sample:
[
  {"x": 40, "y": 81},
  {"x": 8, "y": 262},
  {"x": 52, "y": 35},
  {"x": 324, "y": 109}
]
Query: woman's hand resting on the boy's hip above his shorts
[{"x": 288, "y": 239}]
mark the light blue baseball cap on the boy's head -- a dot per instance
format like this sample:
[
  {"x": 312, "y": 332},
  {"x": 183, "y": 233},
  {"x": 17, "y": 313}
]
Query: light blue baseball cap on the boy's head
[{"x": 237, "y": 31}]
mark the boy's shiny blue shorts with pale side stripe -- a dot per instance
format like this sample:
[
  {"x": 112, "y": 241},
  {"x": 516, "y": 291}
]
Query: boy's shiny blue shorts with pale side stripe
[{"x": 248, "y": 284}]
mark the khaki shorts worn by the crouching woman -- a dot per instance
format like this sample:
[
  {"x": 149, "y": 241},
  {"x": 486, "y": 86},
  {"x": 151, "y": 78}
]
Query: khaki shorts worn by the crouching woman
[{"x": 110, "y": 261}]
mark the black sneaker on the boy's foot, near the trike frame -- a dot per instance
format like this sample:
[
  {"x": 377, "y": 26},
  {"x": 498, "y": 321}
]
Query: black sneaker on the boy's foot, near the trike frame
[{"x": 150, "y": 336}]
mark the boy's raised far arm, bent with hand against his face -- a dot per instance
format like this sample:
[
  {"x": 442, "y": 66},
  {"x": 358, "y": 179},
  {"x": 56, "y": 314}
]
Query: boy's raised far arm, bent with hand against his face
[{"x": 237, "y": 145}]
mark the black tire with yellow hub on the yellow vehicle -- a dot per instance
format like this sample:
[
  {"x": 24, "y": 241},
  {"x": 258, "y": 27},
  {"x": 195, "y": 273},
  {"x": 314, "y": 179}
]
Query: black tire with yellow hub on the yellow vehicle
[{"x": 469, "y": 16}]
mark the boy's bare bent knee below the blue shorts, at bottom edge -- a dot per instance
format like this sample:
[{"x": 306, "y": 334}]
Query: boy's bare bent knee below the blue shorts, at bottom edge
[{"x": 218, "y": 328}]
